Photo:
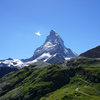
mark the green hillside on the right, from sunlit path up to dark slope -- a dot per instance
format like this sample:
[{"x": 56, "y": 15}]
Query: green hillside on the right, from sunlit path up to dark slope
[{"x": 85, "y": 85}]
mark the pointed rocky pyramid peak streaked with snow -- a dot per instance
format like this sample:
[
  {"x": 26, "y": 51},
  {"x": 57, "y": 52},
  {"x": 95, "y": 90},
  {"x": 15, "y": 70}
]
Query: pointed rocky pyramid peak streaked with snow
[{"x": 53, "y": 50}]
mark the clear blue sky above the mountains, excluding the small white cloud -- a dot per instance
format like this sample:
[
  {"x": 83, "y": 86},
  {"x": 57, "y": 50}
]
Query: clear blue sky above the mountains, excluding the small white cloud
[{"x": 76, "y": 21}]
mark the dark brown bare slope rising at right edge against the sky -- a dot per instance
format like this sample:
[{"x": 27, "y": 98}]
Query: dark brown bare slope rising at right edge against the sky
[{"x": 93, "y": 53}]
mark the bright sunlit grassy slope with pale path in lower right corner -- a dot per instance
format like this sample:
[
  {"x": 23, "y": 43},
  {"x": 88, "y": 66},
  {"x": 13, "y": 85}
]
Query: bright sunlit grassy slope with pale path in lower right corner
[{"x": 77, "y": 89}]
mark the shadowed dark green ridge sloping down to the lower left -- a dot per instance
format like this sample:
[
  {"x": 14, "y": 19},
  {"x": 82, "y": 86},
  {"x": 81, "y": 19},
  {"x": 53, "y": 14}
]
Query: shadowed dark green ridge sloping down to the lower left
[{"x": 29, "y": 83}]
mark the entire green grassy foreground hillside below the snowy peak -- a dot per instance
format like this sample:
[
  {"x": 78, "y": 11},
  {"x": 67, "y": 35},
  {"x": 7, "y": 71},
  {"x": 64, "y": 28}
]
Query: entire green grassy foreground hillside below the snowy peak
[{"x": 80, "y": 81}]
